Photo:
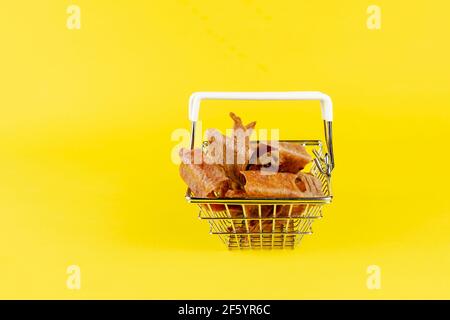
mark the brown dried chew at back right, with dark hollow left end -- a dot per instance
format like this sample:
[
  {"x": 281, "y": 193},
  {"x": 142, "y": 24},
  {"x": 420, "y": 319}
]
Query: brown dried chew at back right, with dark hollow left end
[{"x": 282, "y": 156}]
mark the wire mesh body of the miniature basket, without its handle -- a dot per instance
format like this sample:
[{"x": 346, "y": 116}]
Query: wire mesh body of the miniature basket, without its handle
[{"x": 266, "y": 223}]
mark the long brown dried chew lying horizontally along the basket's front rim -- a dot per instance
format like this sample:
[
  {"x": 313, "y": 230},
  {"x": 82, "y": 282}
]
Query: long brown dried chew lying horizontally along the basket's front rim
[{"x": 275, "y": 185}]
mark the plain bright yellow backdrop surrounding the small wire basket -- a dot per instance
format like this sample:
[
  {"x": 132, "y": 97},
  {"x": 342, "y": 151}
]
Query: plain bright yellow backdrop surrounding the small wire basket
[{"x": 86, "y": 118}]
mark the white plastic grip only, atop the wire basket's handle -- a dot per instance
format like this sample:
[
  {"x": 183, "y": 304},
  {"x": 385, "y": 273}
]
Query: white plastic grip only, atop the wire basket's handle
[{"x": 197, "y": 97}]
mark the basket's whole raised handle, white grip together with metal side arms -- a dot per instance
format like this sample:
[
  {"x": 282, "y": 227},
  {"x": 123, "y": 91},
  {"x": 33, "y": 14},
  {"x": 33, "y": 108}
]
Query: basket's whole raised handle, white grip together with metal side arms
[{"x": 325, "y": 102}]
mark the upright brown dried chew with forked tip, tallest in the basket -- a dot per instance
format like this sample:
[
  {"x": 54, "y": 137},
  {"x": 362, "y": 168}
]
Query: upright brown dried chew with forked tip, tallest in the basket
[{"x": 232, "y": 153}]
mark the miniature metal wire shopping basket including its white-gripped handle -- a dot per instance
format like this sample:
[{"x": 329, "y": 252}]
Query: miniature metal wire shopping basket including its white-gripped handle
[{"x": 273, "y": 223}]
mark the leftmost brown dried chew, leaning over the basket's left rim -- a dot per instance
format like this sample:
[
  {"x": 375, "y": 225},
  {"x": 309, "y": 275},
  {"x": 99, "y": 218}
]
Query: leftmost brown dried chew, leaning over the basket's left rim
[{"x": 204, "y": 180}]
